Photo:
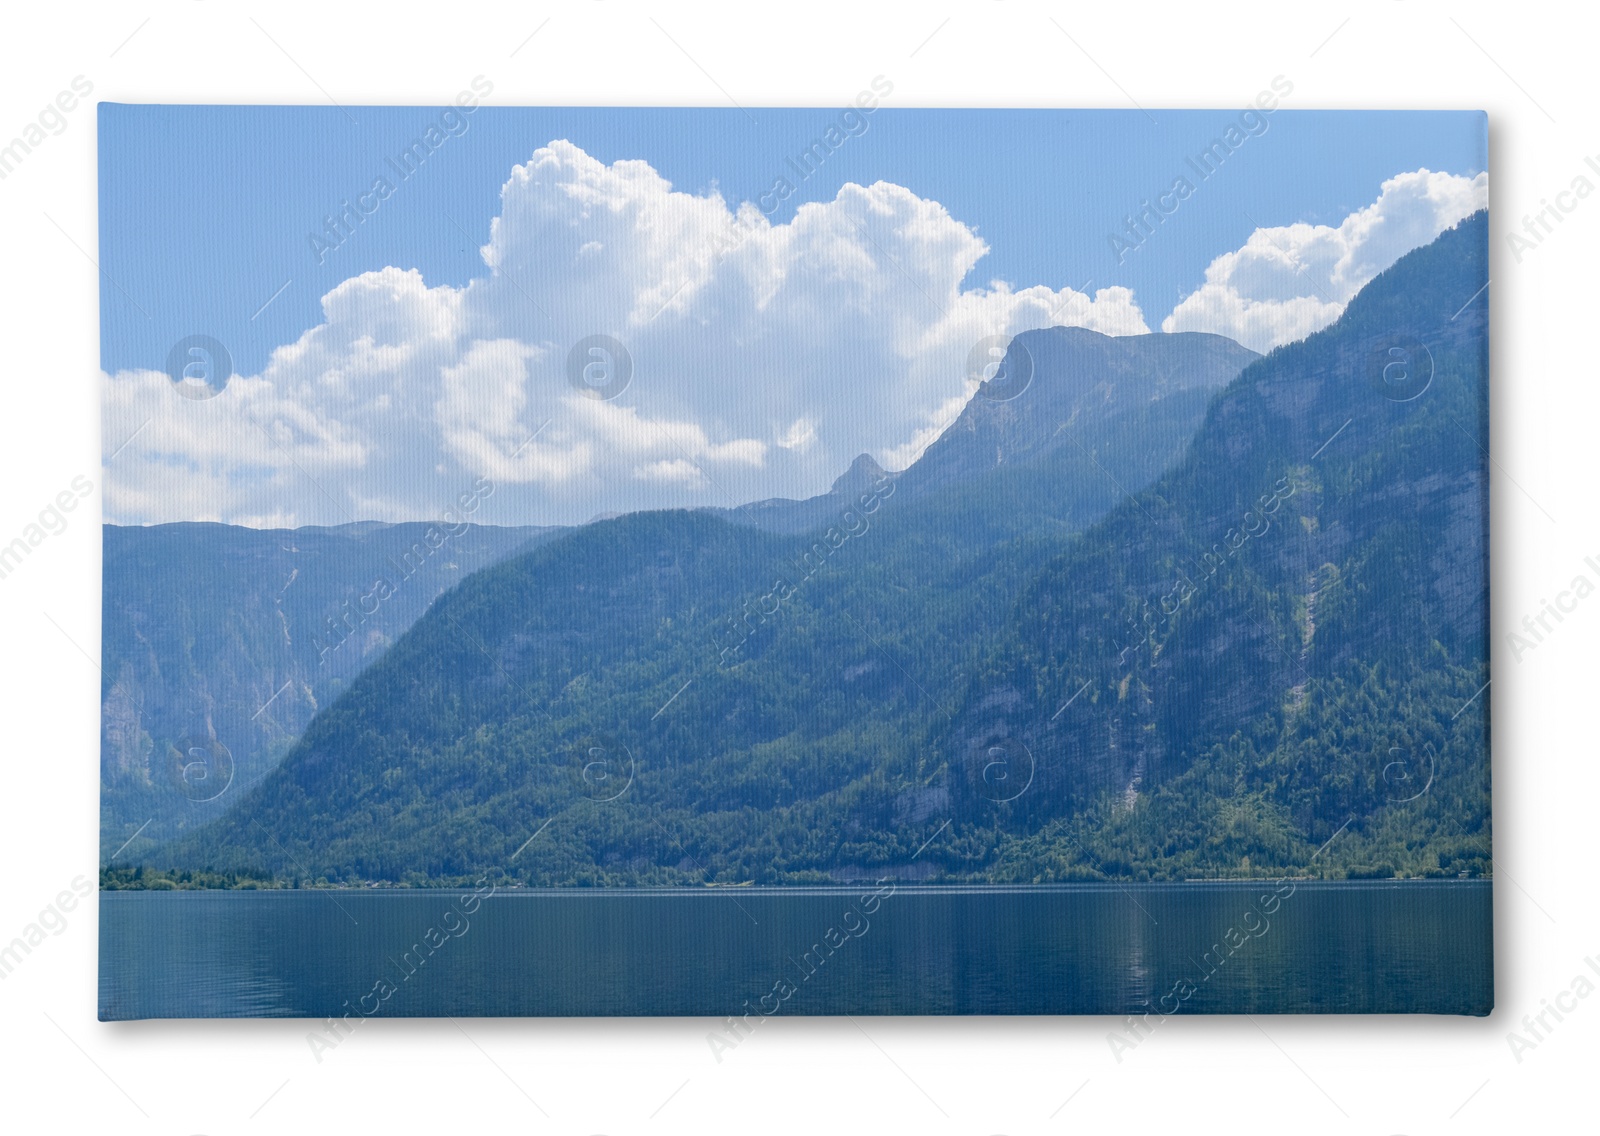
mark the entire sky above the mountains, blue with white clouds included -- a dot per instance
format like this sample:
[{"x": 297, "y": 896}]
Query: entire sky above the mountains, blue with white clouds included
[{"x": 772, "y": 338}]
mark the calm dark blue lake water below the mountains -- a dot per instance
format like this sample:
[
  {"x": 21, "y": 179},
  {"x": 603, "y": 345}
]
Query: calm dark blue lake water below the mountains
[{"x": 1073, "y": 950}]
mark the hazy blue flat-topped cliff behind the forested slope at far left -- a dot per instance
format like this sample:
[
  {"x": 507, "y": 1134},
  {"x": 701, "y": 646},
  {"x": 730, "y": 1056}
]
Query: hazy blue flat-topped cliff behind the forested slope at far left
[{"x": 220, "y": 644}]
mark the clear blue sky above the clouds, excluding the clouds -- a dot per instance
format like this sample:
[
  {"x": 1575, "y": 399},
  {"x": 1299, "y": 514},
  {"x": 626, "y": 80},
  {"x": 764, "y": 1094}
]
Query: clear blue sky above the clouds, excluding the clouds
[{"x": 206, "y": 212}]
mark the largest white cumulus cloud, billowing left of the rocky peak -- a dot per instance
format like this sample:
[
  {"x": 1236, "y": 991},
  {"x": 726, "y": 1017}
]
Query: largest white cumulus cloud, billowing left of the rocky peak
[{"x": 764, "y": 359}]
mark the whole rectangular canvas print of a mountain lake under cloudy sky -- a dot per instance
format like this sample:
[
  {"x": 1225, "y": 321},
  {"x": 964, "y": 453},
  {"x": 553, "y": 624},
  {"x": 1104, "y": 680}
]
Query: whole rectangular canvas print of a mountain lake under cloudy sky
[{"x": 754, "y": 562}]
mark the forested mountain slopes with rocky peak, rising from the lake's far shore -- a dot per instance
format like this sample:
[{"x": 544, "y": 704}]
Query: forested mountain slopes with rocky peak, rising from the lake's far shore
[{"x": 1164, "y": 609}]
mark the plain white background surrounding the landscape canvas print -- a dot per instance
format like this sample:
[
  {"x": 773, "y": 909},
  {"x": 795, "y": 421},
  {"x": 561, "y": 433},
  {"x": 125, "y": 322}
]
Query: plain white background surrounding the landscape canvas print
[{"x": 1530, "y": 70}]
